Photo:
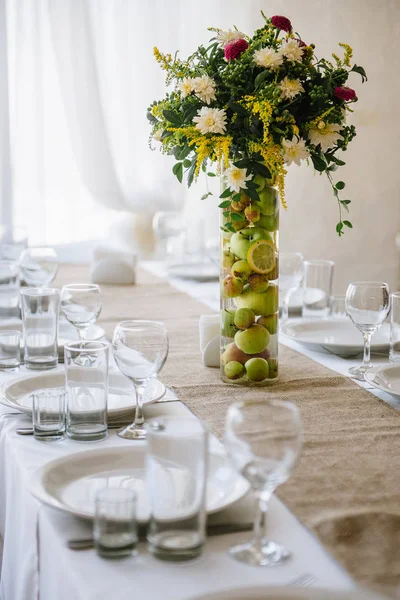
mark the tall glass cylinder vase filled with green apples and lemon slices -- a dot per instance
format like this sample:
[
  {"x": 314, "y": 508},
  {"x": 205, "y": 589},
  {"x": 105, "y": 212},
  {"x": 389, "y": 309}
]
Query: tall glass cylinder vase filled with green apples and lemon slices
[{"x": 249, "y": 286}]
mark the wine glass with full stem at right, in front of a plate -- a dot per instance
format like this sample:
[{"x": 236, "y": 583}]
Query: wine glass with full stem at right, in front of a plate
[{"x": 368, "y": 305}]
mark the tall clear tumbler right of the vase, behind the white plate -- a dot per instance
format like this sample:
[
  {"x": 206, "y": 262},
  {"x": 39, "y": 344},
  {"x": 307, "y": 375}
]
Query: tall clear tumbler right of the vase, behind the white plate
[{"x": 317, "y": 287}]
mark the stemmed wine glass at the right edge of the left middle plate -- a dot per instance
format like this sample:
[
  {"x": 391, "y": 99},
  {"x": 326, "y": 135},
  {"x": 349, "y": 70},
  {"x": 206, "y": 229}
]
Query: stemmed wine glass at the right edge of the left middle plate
[{"x": 140, "y": 350}]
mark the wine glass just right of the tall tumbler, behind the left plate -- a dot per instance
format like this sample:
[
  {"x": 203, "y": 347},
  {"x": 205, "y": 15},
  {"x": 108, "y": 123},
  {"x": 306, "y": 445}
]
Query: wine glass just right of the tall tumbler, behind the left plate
[{"x": 81, "y": 305}]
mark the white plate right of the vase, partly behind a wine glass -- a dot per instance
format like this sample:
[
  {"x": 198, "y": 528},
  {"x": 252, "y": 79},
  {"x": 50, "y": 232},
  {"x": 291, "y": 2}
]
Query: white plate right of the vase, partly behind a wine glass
[{"x": 337, "y": 336}]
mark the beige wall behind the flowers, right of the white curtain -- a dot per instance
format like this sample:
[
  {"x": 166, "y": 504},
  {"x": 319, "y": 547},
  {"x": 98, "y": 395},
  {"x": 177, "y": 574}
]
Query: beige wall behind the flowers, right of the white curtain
[{"x": 372, "y": 173}]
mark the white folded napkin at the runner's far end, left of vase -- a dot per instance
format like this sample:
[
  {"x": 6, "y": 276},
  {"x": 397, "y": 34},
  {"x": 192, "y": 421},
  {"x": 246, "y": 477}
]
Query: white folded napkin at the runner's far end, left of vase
[{"x": 113, "y": 266}]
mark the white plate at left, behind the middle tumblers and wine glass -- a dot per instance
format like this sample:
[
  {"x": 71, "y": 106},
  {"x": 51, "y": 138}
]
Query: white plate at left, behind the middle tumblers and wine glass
[{"x": 17, "y": 393}]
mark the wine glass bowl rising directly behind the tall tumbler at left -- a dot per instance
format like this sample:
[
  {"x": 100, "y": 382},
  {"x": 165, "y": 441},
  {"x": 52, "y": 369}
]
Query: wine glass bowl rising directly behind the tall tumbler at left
[{"x": 38, "y": 266}]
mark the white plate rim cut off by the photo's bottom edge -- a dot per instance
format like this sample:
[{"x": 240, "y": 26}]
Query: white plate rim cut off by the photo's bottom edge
[{"x": 287, "y": 593}]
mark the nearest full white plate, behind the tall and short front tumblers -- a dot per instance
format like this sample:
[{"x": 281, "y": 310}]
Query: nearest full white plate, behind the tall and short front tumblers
[{"x": 70, "y": 483}]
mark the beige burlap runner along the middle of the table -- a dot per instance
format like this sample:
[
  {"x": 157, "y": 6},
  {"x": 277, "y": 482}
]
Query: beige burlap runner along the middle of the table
[{"x": 347, "y": 485}]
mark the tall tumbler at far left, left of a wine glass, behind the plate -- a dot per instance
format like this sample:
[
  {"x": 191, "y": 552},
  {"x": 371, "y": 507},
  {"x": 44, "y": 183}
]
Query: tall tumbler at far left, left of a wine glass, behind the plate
[{"x": 40, "y": 309}]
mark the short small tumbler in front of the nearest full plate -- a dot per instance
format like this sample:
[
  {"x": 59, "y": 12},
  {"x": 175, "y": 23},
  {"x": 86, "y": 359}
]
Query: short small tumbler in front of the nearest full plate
[{"x": 115, "y": 527}]
